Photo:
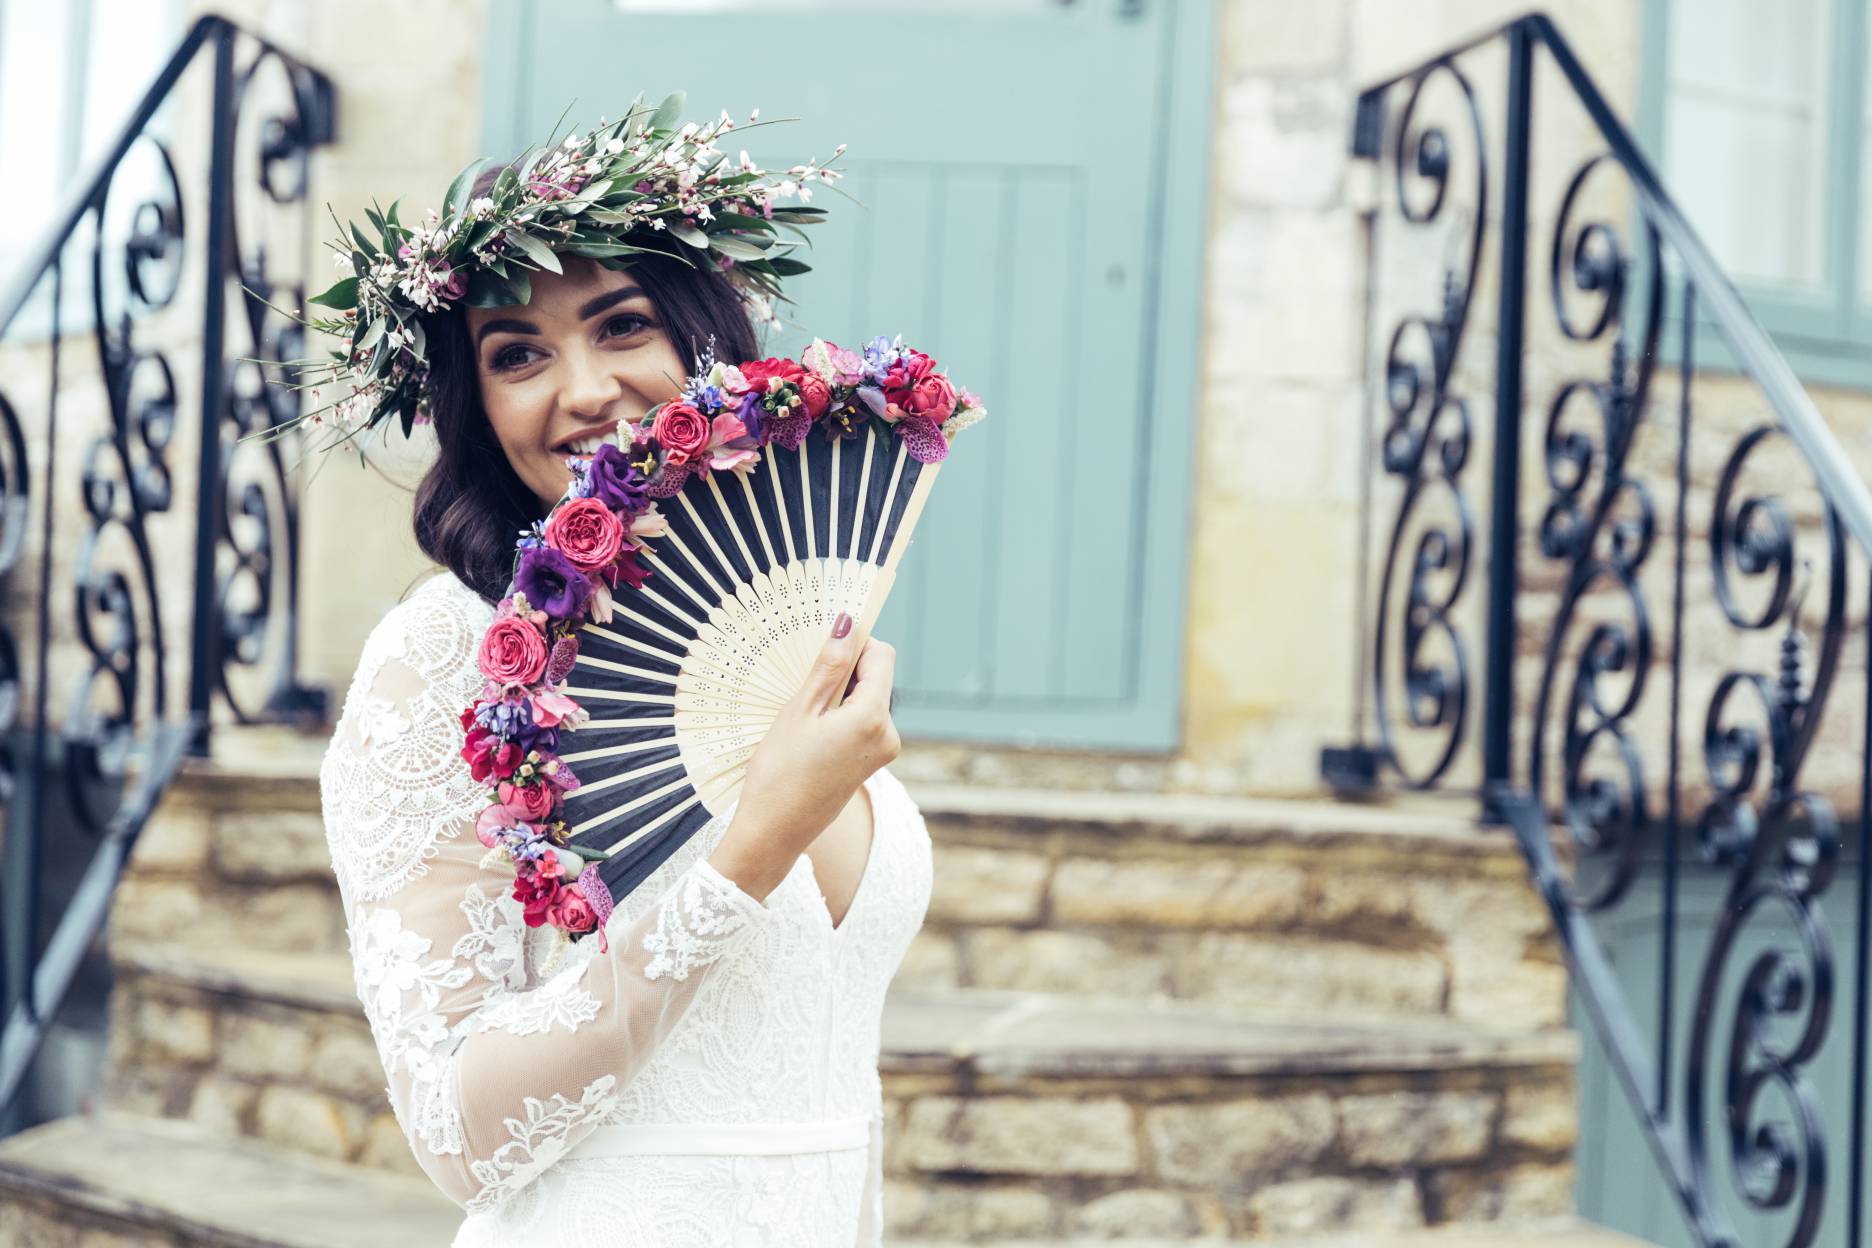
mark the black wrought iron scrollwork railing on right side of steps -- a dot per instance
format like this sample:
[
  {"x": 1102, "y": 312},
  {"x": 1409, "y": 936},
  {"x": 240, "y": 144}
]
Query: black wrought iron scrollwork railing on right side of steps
[{"x": 1733, "y": 594}]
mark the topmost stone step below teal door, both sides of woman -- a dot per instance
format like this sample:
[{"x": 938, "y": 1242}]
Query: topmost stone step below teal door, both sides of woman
[{"x": 1399, "y": 912}]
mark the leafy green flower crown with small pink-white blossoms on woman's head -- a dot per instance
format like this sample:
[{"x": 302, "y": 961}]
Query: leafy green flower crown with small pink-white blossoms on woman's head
[{"x": 636, "y": 186}]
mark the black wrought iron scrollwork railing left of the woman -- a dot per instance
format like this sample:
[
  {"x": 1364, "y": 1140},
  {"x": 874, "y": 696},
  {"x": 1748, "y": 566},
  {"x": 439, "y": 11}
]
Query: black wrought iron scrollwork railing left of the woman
[{"x": 117, "y": 736}]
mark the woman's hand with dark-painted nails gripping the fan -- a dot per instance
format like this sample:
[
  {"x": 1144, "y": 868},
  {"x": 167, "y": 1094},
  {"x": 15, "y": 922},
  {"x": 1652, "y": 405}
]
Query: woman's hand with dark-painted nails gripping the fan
[{"x": 821, "y": 749}]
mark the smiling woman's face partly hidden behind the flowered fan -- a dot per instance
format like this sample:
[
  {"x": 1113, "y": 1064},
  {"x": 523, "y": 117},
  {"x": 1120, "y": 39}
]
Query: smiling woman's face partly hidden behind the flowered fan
[{"x": 561, "y": 371}]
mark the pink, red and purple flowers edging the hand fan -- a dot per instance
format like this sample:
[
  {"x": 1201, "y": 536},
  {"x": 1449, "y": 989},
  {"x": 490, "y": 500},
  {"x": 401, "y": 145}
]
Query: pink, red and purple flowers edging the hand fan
[{"x": 570, "y": 568}]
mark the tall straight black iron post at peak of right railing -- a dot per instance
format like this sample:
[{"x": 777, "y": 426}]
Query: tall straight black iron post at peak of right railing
[{"x": 1504, "y": 506}]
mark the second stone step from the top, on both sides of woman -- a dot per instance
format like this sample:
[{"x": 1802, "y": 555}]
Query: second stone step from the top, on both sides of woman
[{"x": 1008, "y": 1112}]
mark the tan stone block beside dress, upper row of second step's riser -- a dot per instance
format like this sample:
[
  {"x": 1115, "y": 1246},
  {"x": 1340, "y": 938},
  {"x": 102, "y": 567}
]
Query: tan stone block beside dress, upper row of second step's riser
[{"x": 1019, "y": 1137}]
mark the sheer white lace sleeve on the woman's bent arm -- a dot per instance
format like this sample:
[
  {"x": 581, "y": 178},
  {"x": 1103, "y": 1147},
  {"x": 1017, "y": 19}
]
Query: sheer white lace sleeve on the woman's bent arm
[{"x": 497, "y": 1064}]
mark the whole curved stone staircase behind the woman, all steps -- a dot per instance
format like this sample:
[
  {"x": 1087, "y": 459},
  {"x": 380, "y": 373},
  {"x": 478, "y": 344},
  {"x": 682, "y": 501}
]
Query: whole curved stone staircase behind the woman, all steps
[{"x": 1130, "y": 1019}]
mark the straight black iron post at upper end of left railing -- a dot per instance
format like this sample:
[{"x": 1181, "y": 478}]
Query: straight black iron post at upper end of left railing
[{"x": 207, "y": 628}]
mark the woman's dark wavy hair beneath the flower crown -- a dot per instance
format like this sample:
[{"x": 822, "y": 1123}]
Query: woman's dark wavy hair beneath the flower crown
[{"x": 471, "y": 504}]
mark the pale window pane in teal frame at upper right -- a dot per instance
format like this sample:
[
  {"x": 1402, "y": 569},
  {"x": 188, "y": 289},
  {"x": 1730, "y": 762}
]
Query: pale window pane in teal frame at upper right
[{"x": 1746, "y": 134}]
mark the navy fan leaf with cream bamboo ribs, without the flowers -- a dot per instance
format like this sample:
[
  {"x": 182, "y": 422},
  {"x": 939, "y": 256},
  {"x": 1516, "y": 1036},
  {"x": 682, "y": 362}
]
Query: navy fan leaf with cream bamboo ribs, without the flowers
[{"x": 686, "y": 678}]
